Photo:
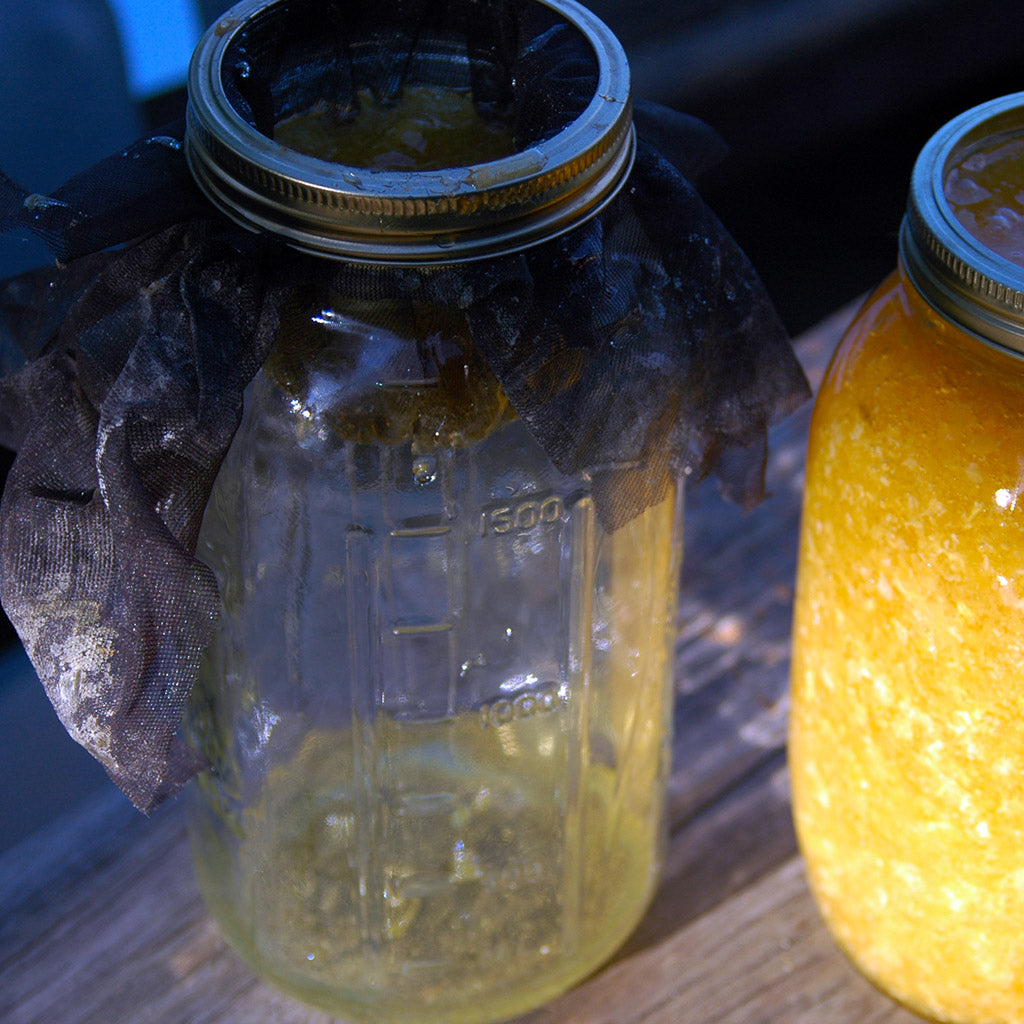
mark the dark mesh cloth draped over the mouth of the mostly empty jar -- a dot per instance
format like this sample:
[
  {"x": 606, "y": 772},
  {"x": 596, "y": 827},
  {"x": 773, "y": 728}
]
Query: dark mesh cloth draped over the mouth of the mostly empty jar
[{"x": 639, "y": 347}]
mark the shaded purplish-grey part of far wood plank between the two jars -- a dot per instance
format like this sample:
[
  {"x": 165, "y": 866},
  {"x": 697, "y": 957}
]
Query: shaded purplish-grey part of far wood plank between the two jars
[{"x": 733, "y": 660}]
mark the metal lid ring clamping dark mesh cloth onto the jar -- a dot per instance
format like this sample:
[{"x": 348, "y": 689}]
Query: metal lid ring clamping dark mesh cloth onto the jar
[{"x": 409, "y": 218}]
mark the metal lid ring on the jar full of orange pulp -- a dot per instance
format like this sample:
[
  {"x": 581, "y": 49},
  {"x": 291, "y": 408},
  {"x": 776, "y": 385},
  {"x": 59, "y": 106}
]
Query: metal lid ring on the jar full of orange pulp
[{"x": 960, "y": 277}]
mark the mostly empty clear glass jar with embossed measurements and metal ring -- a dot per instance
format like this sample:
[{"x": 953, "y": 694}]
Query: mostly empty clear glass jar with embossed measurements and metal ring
[{"x": 438, "y": 711}]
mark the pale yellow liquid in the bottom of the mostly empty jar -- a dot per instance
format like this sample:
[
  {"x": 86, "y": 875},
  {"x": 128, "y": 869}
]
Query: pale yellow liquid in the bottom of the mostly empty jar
[{"x": 497, "y": 888}]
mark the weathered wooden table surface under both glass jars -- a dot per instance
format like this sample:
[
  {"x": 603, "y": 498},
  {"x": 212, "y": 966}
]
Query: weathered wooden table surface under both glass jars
[{"x": 101, "y": 921}]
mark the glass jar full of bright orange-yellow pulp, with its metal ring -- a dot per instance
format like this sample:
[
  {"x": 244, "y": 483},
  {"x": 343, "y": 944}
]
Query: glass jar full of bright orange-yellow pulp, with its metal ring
[{"x": 908, "y": 720}]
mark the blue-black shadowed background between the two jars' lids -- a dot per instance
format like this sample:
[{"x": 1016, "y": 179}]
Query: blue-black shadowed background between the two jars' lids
[{"x": 825, "y": 105}]
